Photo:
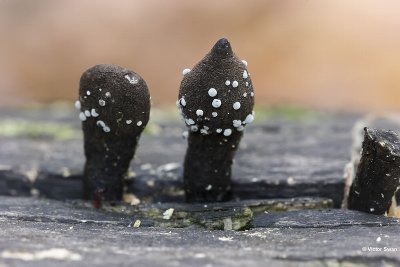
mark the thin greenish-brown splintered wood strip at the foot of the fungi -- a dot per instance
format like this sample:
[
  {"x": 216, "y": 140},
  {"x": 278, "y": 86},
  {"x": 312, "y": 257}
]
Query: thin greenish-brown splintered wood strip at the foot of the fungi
[{"x": 233, "y": 215}]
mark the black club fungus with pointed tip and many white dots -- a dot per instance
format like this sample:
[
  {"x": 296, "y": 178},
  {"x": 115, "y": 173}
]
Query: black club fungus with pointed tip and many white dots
[{"x": 214, "y": 130}]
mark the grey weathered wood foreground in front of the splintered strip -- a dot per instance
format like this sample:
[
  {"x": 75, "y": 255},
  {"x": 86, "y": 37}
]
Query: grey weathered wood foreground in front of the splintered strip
[{"x": 48, "y": 233}]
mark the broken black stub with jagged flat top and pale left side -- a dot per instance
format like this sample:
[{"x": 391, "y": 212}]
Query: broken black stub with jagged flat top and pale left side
[{"x": 378, "y": 172}]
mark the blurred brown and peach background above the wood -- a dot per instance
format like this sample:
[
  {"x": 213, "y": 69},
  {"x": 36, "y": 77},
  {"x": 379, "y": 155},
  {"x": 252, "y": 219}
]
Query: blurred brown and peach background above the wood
[{"x": 341, "y": 55}]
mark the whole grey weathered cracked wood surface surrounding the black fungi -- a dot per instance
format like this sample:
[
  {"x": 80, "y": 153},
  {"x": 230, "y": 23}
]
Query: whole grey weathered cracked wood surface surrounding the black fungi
[{"x": 297, "y": 158}]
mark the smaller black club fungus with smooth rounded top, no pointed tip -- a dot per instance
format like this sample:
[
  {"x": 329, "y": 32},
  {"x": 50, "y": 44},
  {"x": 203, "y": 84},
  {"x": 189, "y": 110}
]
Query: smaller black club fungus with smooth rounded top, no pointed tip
[{"x": 115, "y": 107}]
